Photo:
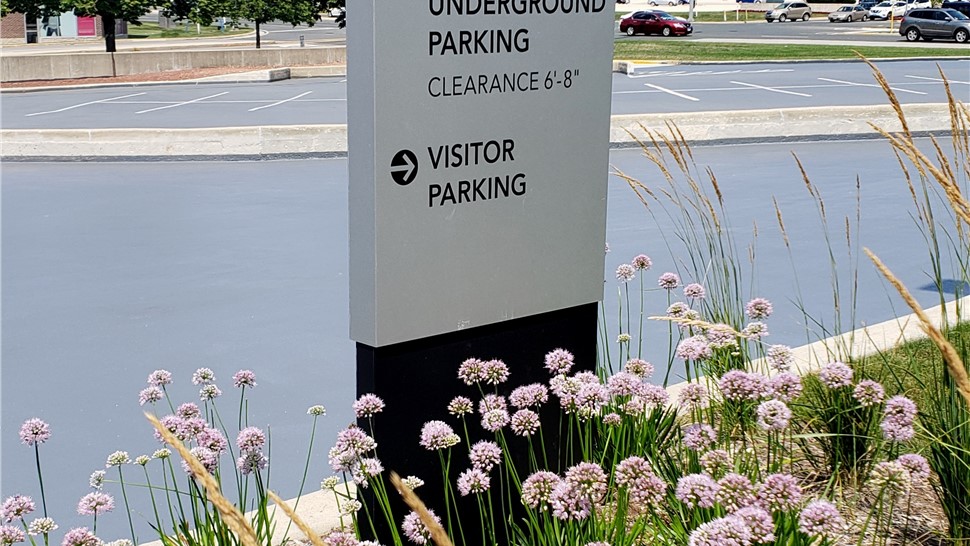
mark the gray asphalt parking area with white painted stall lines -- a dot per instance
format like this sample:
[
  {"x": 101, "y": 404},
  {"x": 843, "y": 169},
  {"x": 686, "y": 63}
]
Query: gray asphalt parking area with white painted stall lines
[{"x": 651, "y": 89}]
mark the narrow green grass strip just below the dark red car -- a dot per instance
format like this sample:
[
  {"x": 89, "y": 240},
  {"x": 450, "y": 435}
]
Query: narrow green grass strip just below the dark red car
[{"x": 671, "y": 49}]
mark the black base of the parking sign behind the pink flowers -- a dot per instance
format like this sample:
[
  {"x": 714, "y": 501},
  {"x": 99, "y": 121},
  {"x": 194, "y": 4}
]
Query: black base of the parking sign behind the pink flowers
[{"x": 418, "y": 378}]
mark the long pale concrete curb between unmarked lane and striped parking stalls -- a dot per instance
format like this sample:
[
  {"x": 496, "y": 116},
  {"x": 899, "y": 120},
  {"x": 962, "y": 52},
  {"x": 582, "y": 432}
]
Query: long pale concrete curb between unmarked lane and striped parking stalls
[{"x": 316, "y": 140}]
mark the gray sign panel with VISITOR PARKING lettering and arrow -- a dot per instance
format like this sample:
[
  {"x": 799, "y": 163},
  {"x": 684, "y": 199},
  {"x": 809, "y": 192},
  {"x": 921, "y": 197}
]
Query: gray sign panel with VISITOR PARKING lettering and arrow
[{"x": 478, "y": 134}]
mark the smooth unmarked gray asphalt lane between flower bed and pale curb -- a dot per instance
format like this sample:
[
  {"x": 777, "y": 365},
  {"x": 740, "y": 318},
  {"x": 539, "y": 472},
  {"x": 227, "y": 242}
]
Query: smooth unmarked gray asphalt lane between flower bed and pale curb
[{"x": 111, "y": 270}]
